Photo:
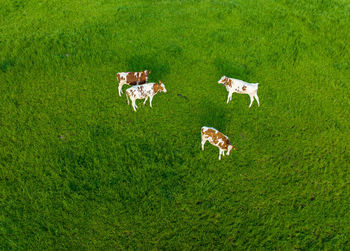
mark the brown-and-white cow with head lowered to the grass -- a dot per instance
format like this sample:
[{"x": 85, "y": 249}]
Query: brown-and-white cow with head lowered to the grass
[{"x": 218, "y": 139}]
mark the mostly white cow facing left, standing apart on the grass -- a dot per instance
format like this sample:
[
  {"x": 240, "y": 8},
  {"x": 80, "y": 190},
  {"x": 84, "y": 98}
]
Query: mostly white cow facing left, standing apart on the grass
[{"x": 241, "y": 87}]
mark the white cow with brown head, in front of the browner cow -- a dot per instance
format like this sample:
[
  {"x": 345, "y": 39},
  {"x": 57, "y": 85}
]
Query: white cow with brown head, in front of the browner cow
[{"x": 143, "y": 92}]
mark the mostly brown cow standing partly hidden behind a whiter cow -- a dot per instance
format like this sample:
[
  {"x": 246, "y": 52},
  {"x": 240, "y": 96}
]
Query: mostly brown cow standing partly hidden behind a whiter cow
[{"x": 132, "y": 78}]
